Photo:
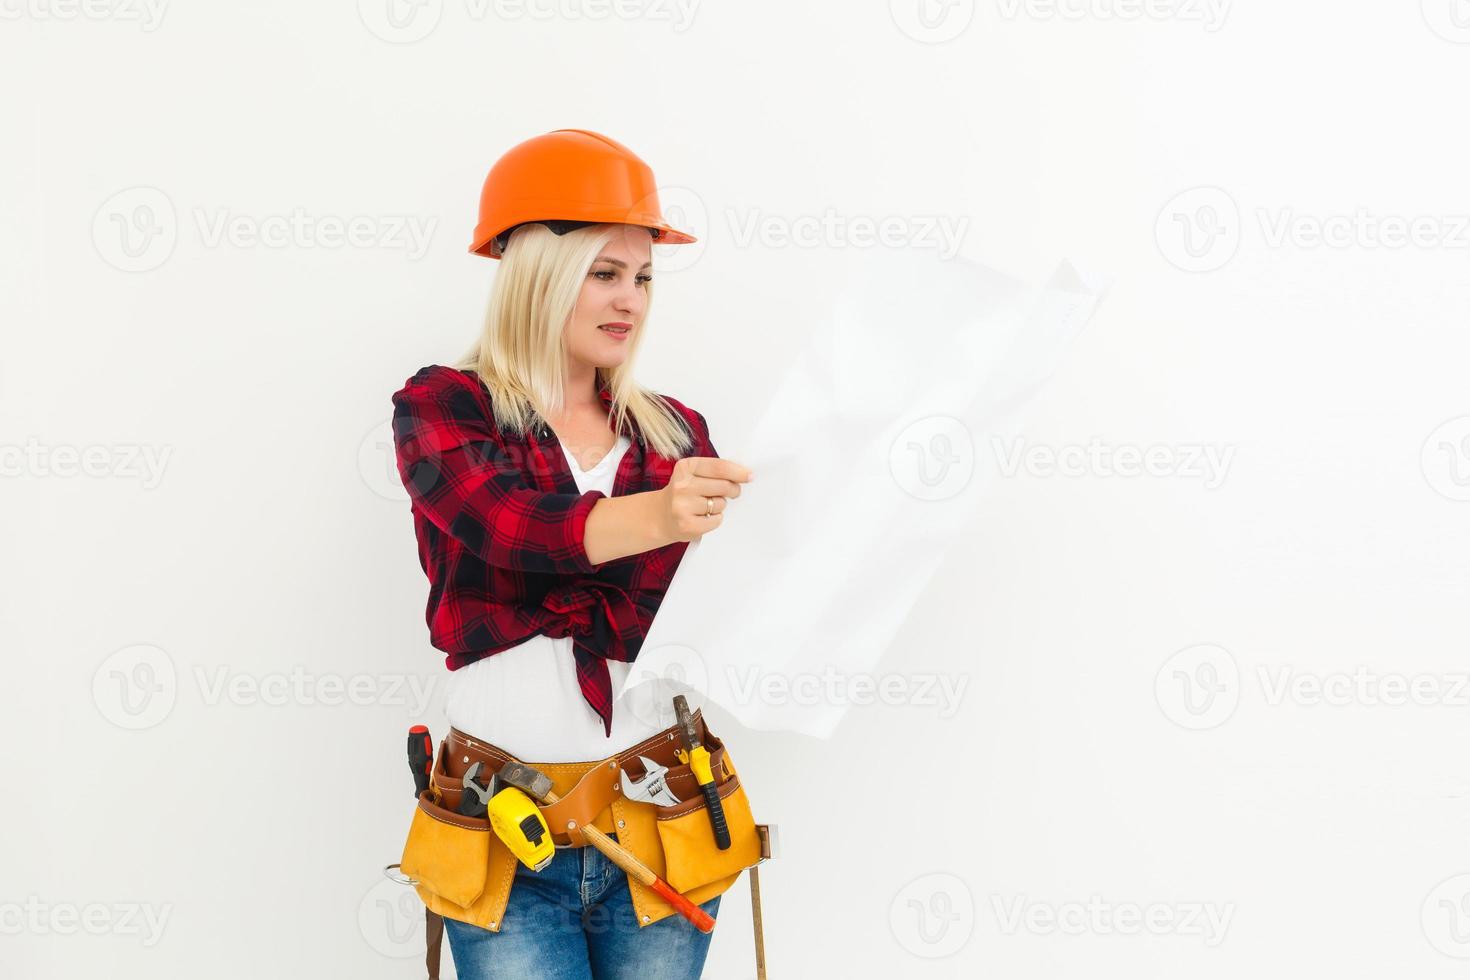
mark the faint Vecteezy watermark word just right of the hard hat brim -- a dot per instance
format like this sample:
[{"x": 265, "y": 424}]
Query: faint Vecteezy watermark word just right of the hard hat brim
[{"x": 833, "y": 230}]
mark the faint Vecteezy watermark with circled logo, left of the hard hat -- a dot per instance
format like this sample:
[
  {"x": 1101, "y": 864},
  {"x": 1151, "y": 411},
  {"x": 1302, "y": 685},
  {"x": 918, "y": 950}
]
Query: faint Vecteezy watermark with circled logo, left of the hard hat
[{"x": 137, "y": 230}]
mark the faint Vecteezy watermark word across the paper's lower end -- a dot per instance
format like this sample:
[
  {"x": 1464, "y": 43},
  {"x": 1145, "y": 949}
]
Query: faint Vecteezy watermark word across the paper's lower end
[{"x": 831, "y": 687}]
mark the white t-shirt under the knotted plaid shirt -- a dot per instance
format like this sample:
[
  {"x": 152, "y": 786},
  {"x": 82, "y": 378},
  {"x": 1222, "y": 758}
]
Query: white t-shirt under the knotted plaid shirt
[{"x": 527, "y": 700}]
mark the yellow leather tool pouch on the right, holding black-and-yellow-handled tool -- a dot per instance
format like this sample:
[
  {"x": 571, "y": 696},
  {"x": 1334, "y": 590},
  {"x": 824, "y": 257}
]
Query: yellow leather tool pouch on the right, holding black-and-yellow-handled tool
[{"x": 690, "y": 856}]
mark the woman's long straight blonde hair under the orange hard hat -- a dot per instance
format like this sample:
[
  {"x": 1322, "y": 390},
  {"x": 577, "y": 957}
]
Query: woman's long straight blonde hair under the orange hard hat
[{"x": 520, "y": 355}]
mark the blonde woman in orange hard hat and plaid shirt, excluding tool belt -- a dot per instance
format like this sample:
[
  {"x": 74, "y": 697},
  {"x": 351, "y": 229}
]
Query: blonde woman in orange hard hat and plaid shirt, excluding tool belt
[{"x": 553, "y": 500}]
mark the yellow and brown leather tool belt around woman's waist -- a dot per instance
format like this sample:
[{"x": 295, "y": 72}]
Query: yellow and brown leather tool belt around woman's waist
[{"x": 464, "y": 872}]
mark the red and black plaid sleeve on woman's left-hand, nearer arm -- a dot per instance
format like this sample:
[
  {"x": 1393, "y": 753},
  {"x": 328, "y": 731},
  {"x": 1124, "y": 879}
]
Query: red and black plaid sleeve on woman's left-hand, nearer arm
[{"x": 461, "y": 477}]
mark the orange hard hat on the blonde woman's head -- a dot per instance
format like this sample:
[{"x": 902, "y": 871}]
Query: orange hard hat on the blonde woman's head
[{"x": 570, "y": 179}]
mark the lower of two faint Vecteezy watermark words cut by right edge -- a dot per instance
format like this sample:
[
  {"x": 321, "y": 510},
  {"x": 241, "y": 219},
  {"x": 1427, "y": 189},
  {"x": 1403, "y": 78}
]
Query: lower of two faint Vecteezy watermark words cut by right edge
[{"x": 1363, "y": 688}]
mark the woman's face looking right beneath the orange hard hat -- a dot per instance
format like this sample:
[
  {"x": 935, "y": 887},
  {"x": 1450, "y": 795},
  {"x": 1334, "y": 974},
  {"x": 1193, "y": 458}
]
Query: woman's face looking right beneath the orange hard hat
[{"x": 614, "y": 299}]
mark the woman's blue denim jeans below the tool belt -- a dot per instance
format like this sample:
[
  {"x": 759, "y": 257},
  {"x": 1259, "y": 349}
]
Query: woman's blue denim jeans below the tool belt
[{"x": 574, "y": 920}]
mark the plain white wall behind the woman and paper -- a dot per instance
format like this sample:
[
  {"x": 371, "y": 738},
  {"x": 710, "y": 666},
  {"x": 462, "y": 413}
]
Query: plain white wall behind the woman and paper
[{"x": 268, "y": 556}]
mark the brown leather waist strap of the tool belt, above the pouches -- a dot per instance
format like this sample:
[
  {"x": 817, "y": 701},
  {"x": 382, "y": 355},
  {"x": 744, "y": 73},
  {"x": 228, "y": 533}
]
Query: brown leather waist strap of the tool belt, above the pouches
[{"x": 586, "y": 790}]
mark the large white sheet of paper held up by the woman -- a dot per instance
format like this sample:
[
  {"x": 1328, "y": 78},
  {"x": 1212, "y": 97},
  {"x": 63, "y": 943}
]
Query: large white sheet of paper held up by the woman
[{"x": 870, "y": 461}]
